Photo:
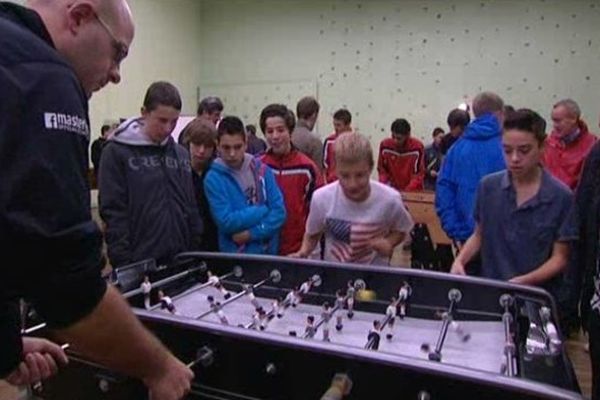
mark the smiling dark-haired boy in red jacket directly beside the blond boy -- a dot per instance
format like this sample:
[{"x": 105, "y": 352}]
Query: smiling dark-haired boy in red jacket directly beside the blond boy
[{"x": 296, "y": 174}]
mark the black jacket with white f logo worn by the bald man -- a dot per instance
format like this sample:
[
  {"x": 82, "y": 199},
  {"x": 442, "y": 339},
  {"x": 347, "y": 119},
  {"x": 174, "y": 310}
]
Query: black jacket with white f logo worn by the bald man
[{"x": 49, "y": 244}]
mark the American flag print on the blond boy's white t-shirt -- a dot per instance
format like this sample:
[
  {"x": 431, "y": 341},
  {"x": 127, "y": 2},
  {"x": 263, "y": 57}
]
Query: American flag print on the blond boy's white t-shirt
[{"x": 351, "y": 240}]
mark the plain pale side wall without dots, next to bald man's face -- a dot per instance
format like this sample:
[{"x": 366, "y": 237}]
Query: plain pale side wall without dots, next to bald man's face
[{"x": 166, "y": 47}]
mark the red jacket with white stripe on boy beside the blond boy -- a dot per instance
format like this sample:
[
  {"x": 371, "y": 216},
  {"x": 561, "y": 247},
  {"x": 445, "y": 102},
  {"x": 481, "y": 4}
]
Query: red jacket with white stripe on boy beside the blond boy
[{"x": 298, "y": 177}]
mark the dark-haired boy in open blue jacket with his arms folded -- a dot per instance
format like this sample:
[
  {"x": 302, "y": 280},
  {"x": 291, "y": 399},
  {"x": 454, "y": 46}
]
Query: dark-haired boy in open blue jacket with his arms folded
[{"x": 244, "y": 198}]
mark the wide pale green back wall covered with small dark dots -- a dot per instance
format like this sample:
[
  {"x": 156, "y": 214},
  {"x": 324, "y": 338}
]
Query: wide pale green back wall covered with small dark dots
[{"x": 388, "y": 59}]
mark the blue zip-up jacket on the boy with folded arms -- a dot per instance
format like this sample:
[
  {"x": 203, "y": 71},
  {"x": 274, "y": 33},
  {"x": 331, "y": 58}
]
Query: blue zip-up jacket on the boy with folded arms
[{"x": 232, "y": 213}]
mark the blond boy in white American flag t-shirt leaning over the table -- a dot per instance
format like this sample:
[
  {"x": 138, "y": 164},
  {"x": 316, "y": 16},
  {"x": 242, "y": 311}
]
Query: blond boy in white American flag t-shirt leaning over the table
[{"x": 363, "y": 220}]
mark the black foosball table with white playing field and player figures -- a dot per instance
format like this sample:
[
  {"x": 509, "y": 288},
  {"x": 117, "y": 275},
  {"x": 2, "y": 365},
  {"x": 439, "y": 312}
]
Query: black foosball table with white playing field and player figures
[{"x": 260, "y": 327}]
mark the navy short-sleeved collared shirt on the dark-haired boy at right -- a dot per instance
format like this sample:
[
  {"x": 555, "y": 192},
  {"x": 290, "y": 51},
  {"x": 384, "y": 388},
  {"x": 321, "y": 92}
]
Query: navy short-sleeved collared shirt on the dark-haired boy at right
[{"x": 518, "y": 240}]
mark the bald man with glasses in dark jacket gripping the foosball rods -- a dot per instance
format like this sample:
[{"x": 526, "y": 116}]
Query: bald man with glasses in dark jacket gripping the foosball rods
[{"x": 53, "y": 56}]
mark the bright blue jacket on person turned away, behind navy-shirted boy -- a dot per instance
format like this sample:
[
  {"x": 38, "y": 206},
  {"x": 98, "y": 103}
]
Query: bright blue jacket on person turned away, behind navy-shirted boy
[{"x": 476, "y": 154}]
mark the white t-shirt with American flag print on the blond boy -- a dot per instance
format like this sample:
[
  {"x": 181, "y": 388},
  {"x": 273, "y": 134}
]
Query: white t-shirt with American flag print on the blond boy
[{"x": 349, "y": 226}]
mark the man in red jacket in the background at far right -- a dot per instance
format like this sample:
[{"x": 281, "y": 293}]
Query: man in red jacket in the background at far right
[{"x": 569, "y": 143}]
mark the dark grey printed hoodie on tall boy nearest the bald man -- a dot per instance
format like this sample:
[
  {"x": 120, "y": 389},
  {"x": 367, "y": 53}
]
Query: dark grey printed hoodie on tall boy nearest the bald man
[{"x": 146, "y": 197}]
